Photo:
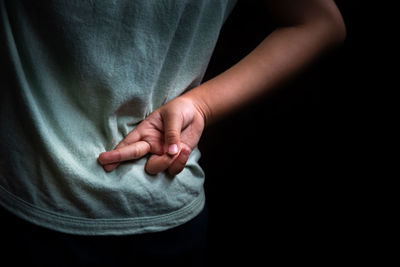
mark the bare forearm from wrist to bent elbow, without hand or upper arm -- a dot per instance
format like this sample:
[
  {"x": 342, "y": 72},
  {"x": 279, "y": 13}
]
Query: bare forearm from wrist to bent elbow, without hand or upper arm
[{"x": 282, "y": 54}]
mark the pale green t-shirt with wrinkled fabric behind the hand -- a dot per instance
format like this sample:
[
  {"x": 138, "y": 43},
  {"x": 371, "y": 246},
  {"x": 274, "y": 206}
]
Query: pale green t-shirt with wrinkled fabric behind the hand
[{"x": 77, "y": 76}]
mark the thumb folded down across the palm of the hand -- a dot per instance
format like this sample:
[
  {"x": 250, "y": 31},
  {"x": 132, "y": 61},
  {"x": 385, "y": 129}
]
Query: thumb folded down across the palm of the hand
[{"x": 172, "y": 130}]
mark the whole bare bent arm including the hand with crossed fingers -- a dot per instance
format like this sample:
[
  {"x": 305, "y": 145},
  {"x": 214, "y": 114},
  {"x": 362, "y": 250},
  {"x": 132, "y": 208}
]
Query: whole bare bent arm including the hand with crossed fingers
[{"x": 170, "y": 133}]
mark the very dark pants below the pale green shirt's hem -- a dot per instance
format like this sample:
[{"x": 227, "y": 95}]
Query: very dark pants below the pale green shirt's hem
[{"x": 31, "y": 245}]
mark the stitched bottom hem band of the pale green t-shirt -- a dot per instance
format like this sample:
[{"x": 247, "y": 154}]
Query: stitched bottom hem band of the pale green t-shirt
[{"x": 87, "y": 226}]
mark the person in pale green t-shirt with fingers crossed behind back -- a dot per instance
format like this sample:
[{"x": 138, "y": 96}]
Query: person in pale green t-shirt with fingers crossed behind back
[{"x": 101, "y": 112}]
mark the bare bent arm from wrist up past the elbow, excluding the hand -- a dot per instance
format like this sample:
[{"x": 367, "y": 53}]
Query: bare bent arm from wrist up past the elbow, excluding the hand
[{"x": 309, "y": 27}]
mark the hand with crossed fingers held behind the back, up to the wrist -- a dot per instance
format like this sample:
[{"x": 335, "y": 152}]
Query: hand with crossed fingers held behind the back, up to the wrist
[{"x": 170, "y": 133}]
